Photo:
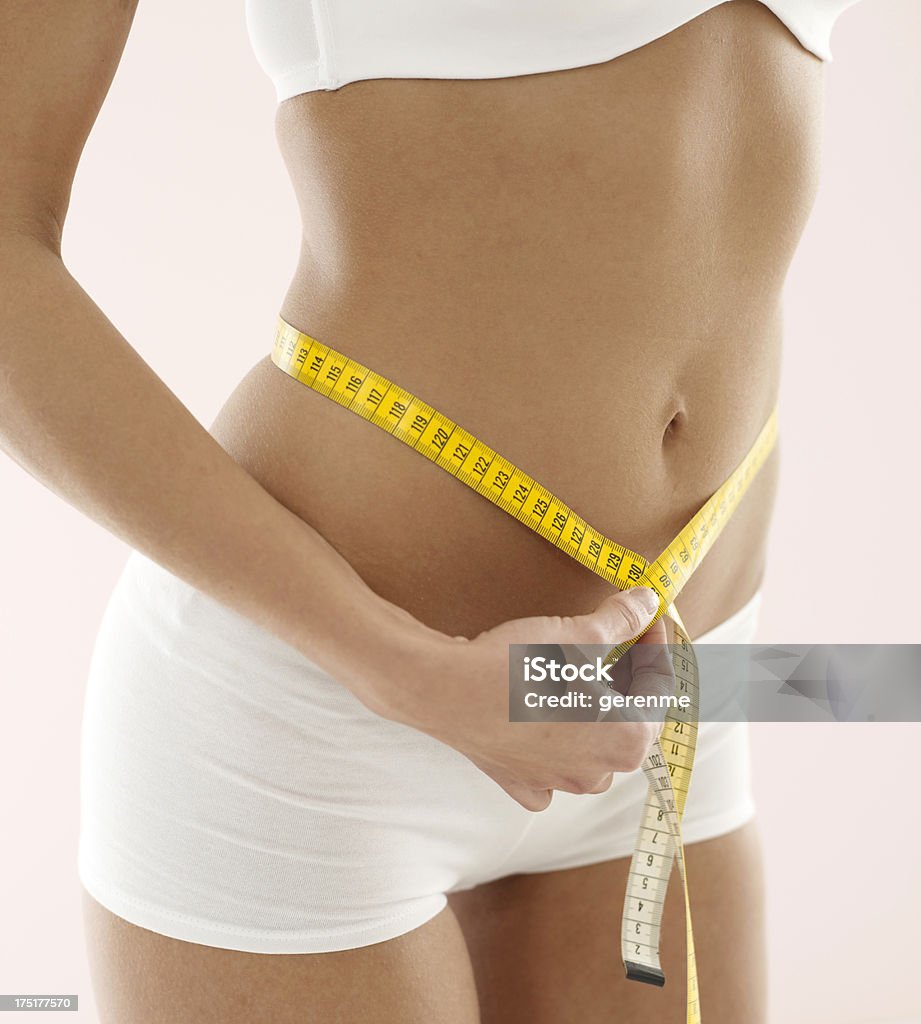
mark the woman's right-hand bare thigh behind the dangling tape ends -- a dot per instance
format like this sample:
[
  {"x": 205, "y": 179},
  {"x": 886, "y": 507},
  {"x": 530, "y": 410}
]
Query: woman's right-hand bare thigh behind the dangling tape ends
[{"x": 546, "y": 948}]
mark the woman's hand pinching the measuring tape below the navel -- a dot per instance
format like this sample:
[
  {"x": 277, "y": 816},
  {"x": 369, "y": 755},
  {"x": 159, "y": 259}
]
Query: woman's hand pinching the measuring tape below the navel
[{"x": 457, "y": 692}]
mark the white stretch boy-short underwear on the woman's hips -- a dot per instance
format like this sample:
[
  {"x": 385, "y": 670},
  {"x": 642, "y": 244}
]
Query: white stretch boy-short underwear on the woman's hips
[{"x": 235, "y": 795}]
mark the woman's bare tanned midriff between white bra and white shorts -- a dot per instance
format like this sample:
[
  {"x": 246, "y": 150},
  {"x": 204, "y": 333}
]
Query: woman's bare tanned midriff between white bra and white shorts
[{"x": 582, "y": 268}]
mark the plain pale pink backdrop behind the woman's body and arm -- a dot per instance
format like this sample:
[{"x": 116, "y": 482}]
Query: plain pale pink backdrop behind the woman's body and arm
[{"x": 182, "y": 207}]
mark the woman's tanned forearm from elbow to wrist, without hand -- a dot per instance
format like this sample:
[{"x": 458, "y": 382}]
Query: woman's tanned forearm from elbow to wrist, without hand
[{"x": 82, "y": 413}]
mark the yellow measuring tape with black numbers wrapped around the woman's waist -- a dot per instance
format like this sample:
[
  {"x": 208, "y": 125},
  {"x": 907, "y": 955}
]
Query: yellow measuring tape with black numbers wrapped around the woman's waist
[{"x": 668, "y": 766}]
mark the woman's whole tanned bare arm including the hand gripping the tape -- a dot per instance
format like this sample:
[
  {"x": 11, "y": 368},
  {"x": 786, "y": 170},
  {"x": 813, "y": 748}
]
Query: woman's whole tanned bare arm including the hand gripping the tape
[{"x": 88, "y": 417}]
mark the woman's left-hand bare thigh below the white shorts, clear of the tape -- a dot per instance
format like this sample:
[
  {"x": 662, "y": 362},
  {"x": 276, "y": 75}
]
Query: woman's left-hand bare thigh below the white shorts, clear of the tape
[{"x": 143, "y": 977}]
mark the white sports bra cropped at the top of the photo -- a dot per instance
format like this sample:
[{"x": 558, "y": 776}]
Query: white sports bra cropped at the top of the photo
[{"x": 305, "y": 46}]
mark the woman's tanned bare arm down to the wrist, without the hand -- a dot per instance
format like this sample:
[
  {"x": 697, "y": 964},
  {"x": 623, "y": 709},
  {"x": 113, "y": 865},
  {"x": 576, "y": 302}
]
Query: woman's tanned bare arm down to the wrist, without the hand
[{"x": 88, "y": 417}]
